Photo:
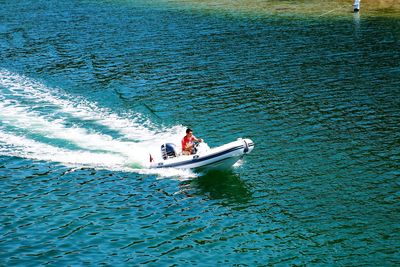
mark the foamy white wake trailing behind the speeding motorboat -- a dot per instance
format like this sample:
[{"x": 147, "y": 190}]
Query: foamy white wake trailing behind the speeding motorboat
[{"x": 45, "y": 123}]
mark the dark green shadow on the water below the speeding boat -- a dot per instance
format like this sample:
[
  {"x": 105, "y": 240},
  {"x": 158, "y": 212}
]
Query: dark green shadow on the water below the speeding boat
[{"x": 223, "y": 185}]
